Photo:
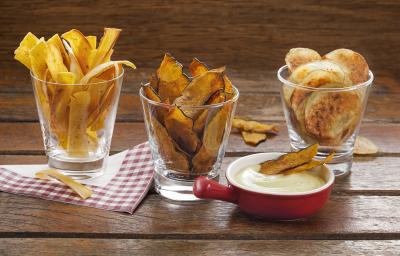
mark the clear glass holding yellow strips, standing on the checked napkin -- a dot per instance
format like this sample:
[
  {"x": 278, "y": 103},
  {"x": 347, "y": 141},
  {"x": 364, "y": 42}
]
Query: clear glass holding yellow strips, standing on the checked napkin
[{"x": 77, "y": 122}]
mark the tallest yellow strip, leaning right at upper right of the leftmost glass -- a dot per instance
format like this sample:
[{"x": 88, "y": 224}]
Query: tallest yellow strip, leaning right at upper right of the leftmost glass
[{"x": 106, "y": 44}]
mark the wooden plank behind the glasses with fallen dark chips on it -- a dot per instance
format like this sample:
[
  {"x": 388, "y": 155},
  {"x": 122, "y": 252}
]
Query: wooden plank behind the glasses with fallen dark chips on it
[{"x": 26, "y": 138}]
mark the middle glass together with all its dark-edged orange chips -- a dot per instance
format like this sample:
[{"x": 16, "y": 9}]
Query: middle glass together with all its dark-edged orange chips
[{"x": 188, "y": 120}]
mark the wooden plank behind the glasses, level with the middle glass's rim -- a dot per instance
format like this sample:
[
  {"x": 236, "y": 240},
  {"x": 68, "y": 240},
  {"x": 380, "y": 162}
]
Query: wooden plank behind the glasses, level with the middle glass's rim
[{"x": 259, "y": 106}]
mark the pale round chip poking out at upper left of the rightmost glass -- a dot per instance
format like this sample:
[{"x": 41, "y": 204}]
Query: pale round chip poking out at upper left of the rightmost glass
[{"x": 299, "y": 56}]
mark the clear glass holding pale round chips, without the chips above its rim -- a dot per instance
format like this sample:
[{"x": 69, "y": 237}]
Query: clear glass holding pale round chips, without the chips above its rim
[{"x": 327, "y": 115}]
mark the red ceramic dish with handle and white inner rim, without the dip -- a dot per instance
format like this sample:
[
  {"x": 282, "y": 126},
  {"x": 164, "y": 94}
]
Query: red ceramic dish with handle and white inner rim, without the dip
[{"x": 288, "y": 206}]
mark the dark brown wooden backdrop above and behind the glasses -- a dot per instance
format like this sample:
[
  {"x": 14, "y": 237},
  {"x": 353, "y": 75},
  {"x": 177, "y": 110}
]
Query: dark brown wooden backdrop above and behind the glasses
[{"x": 241, "y": 34}]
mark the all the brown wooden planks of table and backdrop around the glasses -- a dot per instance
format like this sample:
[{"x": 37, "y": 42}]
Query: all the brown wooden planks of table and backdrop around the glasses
[{"x": 251, "y": 39}]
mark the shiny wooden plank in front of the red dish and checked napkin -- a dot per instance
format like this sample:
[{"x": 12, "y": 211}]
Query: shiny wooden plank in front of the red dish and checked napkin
[{"x": 343, "y": 217}]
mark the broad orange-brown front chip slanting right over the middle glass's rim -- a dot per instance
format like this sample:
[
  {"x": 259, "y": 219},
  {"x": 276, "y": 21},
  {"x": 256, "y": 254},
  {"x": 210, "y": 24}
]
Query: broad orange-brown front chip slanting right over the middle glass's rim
[{"x": 200, "y": 90}]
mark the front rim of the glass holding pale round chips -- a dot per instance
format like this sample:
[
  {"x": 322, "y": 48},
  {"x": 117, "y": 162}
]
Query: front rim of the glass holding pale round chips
[{"x": 338, "y": 89}]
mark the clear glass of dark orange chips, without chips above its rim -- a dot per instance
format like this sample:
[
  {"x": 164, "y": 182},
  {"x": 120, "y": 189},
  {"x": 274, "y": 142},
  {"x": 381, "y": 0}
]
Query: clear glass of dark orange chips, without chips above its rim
[{"x": 184, "y": 150}]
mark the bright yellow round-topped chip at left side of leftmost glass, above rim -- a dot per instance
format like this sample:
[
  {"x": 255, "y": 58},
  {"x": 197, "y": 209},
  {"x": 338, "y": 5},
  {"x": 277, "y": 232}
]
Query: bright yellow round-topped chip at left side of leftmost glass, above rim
[{"x": 38, "y": 59}]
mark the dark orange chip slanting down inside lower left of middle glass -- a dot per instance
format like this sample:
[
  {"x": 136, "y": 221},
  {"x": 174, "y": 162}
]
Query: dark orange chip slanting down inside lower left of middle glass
[{"x": 174, "y": 158}]
